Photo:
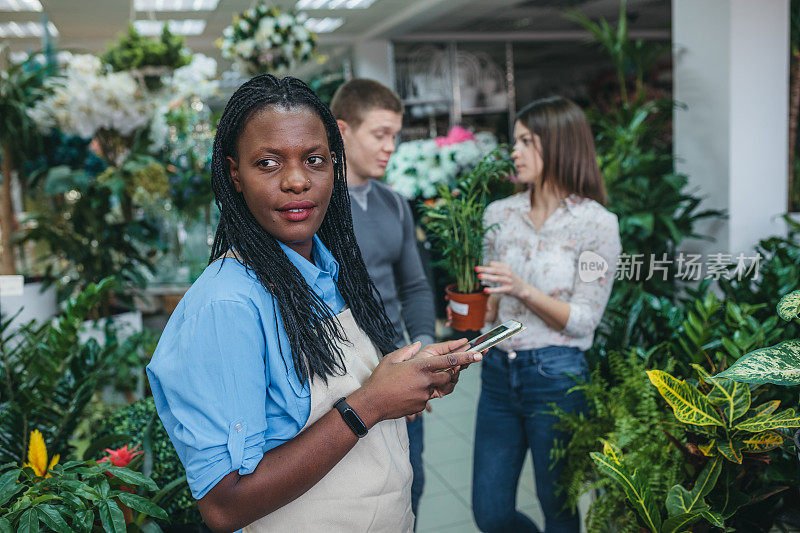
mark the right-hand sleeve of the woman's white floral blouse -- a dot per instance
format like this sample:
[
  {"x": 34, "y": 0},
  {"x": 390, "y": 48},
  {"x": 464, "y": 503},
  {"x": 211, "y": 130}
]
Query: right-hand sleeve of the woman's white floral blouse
[{"x": 591, "y": 293}]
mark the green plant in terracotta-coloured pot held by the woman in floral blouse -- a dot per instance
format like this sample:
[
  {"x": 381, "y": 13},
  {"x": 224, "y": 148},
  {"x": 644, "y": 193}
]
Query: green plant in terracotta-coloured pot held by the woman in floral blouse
[{"x": 454, "y": 223}]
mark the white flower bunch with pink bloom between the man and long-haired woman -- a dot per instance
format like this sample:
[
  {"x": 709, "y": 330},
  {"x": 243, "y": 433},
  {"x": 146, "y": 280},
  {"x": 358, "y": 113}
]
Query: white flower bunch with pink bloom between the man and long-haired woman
[{"x": 417, "y": 167}]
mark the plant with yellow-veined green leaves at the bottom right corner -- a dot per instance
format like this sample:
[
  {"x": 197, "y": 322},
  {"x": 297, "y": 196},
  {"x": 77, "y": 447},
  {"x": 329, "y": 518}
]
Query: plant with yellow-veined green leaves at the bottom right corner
[{"x": 723, "y": 429}]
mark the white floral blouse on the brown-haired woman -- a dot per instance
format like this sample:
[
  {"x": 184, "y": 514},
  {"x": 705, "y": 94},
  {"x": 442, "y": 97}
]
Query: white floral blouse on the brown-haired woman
[{"x": 548, "y": 258}]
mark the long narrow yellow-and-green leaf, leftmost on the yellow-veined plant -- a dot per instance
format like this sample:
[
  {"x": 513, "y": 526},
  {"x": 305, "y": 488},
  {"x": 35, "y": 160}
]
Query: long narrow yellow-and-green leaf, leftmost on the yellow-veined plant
[{"x": 637, "y": 492}]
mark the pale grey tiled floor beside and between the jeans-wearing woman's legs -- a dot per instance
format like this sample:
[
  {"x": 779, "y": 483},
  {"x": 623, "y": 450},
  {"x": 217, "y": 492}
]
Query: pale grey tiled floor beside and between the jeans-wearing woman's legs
[{"x": 445, "y": 504}]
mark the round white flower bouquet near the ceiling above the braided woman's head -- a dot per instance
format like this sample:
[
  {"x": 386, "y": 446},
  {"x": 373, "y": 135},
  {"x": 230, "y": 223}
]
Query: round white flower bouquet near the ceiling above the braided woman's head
[{"x": 265, "y": 39}]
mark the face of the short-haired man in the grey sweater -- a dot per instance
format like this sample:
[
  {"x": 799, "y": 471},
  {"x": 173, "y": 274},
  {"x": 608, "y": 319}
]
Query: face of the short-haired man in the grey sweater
[{"x": 369, "y": 146}]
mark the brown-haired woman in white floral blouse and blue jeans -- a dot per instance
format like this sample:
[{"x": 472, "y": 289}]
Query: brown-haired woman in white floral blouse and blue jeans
[{"x": 550, "y": 256}]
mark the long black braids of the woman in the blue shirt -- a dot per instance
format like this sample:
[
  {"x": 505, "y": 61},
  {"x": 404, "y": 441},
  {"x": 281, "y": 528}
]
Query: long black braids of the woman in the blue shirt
[{"x": 310, "y": 325}]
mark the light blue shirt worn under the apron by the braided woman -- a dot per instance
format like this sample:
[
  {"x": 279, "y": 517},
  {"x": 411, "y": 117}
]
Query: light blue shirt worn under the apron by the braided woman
[{"x": 222, "y": 375}]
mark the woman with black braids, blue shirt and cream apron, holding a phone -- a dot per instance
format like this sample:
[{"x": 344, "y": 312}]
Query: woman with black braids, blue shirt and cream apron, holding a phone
[{"x": 276, "y": 377}]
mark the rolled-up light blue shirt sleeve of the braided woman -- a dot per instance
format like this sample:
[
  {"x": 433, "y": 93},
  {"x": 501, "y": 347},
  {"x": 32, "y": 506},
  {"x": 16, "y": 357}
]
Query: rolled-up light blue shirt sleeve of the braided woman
[{"x": 209, "y": 385}]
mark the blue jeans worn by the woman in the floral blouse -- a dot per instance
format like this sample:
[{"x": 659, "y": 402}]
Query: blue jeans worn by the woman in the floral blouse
[{"x": 516, "y": 392}]
